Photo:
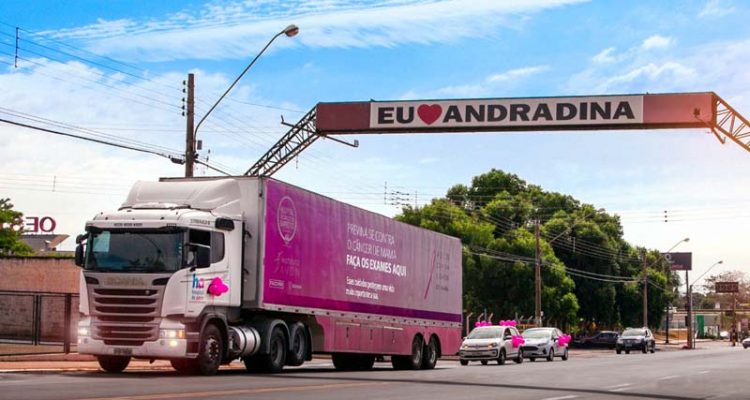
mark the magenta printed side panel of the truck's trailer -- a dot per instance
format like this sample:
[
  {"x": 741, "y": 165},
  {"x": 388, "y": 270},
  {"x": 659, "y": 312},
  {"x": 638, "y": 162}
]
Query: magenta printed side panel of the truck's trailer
[{"x": 324, "y": 254}]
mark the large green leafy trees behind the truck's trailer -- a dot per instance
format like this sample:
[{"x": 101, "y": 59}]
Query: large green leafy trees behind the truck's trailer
[{"x": 591, "y": 277}]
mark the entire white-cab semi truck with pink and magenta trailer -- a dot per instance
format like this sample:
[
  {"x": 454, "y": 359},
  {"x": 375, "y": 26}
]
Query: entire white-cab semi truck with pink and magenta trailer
[{"x": 203, "y": 271}]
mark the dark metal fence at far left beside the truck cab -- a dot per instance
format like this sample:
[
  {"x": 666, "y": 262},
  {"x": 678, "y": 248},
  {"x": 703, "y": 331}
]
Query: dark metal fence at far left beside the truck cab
[{"x": 37, "y": 322}]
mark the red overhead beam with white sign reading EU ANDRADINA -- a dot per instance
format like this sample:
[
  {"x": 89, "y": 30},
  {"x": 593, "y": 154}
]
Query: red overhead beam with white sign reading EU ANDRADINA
[{"x": 645, "y": 111}]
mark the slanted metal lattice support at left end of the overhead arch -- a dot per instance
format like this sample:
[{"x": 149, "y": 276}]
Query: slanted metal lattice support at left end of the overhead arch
[{"x": 298, "y": 138}]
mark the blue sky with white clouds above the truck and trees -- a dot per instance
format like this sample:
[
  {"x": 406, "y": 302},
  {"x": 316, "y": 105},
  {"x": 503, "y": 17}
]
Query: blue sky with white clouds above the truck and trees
[{"x": 133, "y": 55}]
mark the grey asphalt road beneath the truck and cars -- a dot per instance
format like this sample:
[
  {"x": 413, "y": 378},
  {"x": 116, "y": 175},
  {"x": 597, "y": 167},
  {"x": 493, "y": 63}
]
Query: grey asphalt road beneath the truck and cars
[{"x": 716, "y": 373}]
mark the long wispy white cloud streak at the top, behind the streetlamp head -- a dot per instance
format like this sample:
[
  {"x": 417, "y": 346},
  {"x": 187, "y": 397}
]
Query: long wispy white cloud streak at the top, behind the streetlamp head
[{"x": 238, "y": 29}]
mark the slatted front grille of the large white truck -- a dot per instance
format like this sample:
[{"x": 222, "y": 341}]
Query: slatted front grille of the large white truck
[{"x": 125, "y": 316}]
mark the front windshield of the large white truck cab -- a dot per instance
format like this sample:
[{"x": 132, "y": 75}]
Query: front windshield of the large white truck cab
[{"x": 135, "y": 251}]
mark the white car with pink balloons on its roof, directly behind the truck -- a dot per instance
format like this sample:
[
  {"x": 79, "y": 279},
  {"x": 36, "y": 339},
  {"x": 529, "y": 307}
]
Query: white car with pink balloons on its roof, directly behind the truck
[{"x": 490, "y": 343}]
